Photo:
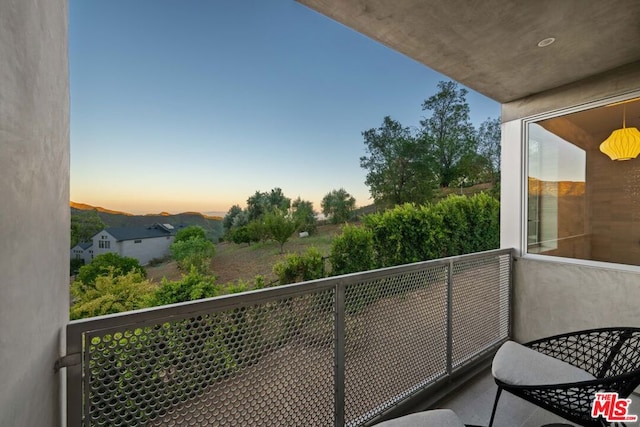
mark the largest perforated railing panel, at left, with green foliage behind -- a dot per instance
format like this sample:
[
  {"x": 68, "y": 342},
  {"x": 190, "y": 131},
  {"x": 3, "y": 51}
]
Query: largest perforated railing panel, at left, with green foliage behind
[{"x": 268, "y": 364}]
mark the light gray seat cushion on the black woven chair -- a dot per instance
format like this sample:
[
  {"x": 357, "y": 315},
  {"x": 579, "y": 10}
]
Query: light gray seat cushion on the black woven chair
[{"x": 516, "y": 364}]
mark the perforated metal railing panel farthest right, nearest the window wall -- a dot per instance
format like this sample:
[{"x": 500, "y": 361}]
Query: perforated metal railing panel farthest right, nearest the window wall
[{"x": 480, "y": 305}]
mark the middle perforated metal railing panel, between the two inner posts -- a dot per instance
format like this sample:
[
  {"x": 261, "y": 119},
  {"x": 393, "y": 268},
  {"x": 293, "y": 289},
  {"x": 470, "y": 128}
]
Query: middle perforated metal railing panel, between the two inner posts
[{"x": 395, "y": 339}]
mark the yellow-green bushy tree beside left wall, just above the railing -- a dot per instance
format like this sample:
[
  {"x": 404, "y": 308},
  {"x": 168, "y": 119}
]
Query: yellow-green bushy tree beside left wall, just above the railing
[{"x": 111, "y": 293}]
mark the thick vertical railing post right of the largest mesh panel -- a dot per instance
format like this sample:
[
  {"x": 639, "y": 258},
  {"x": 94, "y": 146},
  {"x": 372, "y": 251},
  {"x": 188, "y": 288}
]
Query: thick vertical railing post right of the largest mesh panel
[{"x": 339, "y": 356}]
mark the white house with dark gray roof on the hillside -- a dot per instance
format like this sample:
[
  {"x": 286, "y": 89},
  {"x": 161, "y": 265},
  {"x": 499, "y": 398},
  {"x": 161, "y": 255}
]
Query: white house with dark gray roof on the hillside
[{"x": 142, "y": 243}]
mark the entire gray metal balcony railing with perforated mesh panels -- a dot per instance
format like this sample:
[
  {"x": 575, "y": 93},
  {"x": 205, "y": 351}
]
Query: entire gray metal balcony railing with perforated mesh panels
[{"x": 337, "y": 351}]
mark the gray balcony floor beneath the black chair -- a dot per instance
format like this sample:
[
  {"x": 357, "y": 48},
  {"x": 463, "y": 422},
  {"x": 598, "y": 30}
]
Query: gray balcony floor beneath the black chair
[{"x": 473, "y": 403}]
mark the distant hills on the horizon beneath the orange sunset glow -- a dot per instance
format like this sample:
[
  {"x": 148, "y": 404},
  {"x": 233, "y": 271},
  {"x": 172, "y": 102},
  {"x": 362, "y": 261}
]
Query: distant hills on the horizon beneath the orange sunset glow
[{"x": 211, "y": 224}]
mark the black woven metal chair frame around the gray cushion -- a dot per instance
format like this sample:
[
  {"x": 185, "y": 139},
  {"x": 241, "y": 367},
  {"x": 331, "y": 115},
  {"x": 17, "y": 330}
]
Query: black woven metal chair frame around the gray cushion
[{"x": 612, "y": 355}]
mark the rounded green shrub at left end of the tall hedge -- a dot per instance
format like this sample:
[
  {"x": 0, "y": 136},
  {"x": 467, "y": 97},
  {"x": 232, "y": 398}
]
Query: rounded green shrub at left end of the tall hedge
[{"x": 352, "y": 251}]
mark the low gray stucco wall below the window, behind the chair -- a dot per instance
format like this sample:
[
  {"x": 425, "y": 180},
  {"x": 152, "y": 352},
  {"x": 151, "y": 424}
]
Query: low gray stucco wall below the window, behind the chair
[{"x": 555, "y": 297}]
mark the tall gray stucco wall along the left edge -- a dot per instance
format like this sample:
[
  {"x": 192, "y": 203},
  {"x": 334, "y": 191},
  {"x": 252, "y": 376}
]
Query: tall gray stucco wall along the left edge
[{"x": 34, "y": 213}]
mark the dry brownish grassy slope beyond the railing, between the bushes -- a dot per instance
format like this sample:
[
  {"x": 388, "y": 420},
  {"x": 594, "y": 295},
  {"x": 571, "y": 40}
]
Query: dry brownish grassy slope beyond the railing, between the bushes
[{"x": 232, "y": 262}]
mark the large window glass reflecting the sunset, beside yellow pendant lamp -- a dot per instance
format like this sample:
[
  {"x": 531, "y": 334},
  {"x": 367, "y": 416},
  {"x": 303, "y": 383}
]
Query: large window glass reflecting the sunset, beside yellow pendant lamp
[{"x": 580, "y": 203}]
